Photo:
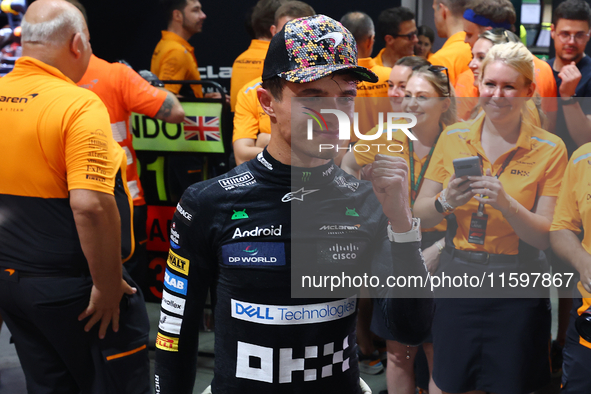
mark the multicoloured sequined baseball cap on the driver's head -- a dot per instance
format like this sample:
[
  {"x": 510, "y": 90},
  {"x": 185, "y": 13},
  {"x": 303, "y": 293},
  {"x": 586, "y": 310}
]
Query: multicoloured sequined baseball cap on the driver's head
[{"x": 310, "y": 48}]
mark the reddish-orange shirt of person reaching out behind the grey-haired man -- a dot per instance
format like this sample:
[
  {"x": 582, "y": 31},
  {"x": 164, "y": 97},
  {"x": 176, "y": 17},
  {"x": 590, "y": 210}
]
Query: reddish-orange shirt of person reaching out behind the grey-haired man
[{"x": 123, "y": 91}]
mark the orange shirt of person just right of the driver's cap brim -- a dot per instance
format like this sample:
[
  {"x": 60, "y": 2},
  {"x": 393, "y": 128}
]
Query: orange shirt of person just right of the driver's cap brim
[{"x": 372, "y": 97}]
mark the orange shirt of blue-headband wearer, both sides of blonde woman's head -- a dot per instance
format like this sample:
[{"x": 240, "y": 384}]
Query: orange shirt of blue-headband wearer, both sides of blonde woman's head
[{"x": 545, "y": 87}]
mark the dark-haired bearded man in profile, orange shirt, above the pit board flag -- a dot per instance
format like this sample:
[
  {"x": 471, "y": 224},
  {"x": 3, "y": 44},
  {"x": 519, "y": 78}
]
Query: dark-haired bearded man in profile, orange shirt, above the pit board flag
[{"x": 173, "y": 57}]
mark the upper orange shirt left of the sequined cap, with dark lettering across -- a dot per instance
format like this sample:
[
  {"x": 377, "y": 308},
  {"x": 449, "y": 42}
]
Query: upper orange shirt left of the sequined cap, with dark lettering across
[{"x": 247, "y": 66}]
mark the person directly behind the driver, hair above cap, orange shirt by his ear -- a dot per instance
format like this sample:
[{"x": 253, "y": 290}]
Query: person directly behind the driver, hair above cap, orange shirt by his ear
[{"x": 252, "y": 127}]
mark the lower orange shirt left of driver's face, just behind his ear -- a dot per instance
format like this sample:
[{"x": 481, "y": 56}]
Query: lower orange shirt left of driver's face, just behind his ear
[{"x": 249, "y": 117}]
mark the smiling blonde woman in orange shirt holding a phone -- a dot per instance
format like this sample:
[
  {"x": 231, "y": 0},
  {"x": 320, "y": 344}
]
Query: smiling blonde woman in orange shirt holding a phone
[{"x": 479, "y": 343}]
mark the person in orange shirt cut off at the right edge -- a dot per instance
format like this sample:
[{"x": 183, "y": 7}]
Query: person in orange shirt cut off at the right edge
[{"x": 571, "y": 216}]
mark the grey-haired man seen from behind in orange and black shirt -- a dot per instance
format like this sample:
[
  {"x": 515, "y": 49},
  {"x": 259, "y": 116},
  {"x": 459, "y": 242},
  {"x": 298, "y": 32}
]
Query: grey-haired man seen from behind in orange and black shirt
[{"x": 61, "y": 239}]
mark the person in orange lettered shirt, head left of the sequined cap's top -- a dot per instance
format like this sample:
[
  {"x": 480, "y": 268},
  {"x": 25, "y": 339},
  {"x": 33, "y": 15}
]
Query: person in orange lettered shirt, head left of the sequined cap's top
[{"x": 249, "y": 64}]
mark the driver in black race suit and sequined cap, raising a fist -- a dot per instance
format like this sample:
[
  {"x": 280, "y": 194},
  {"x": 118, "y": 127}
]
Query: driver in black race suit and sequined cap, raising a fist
[{"x": 291, "y": 346}]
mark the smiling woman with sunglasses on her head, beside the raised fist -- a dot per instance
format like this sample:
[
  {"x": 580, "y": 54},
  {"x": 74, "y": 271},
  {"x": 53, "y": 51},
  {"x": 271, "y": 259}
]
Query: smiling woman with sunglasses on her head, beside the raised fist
[{"x": 425, "y": 87}]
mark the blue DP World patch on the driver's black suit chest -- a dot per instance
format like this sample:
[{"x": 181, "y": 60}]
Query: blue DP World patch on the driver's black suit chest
[{"x": 259, "y": 254}]
